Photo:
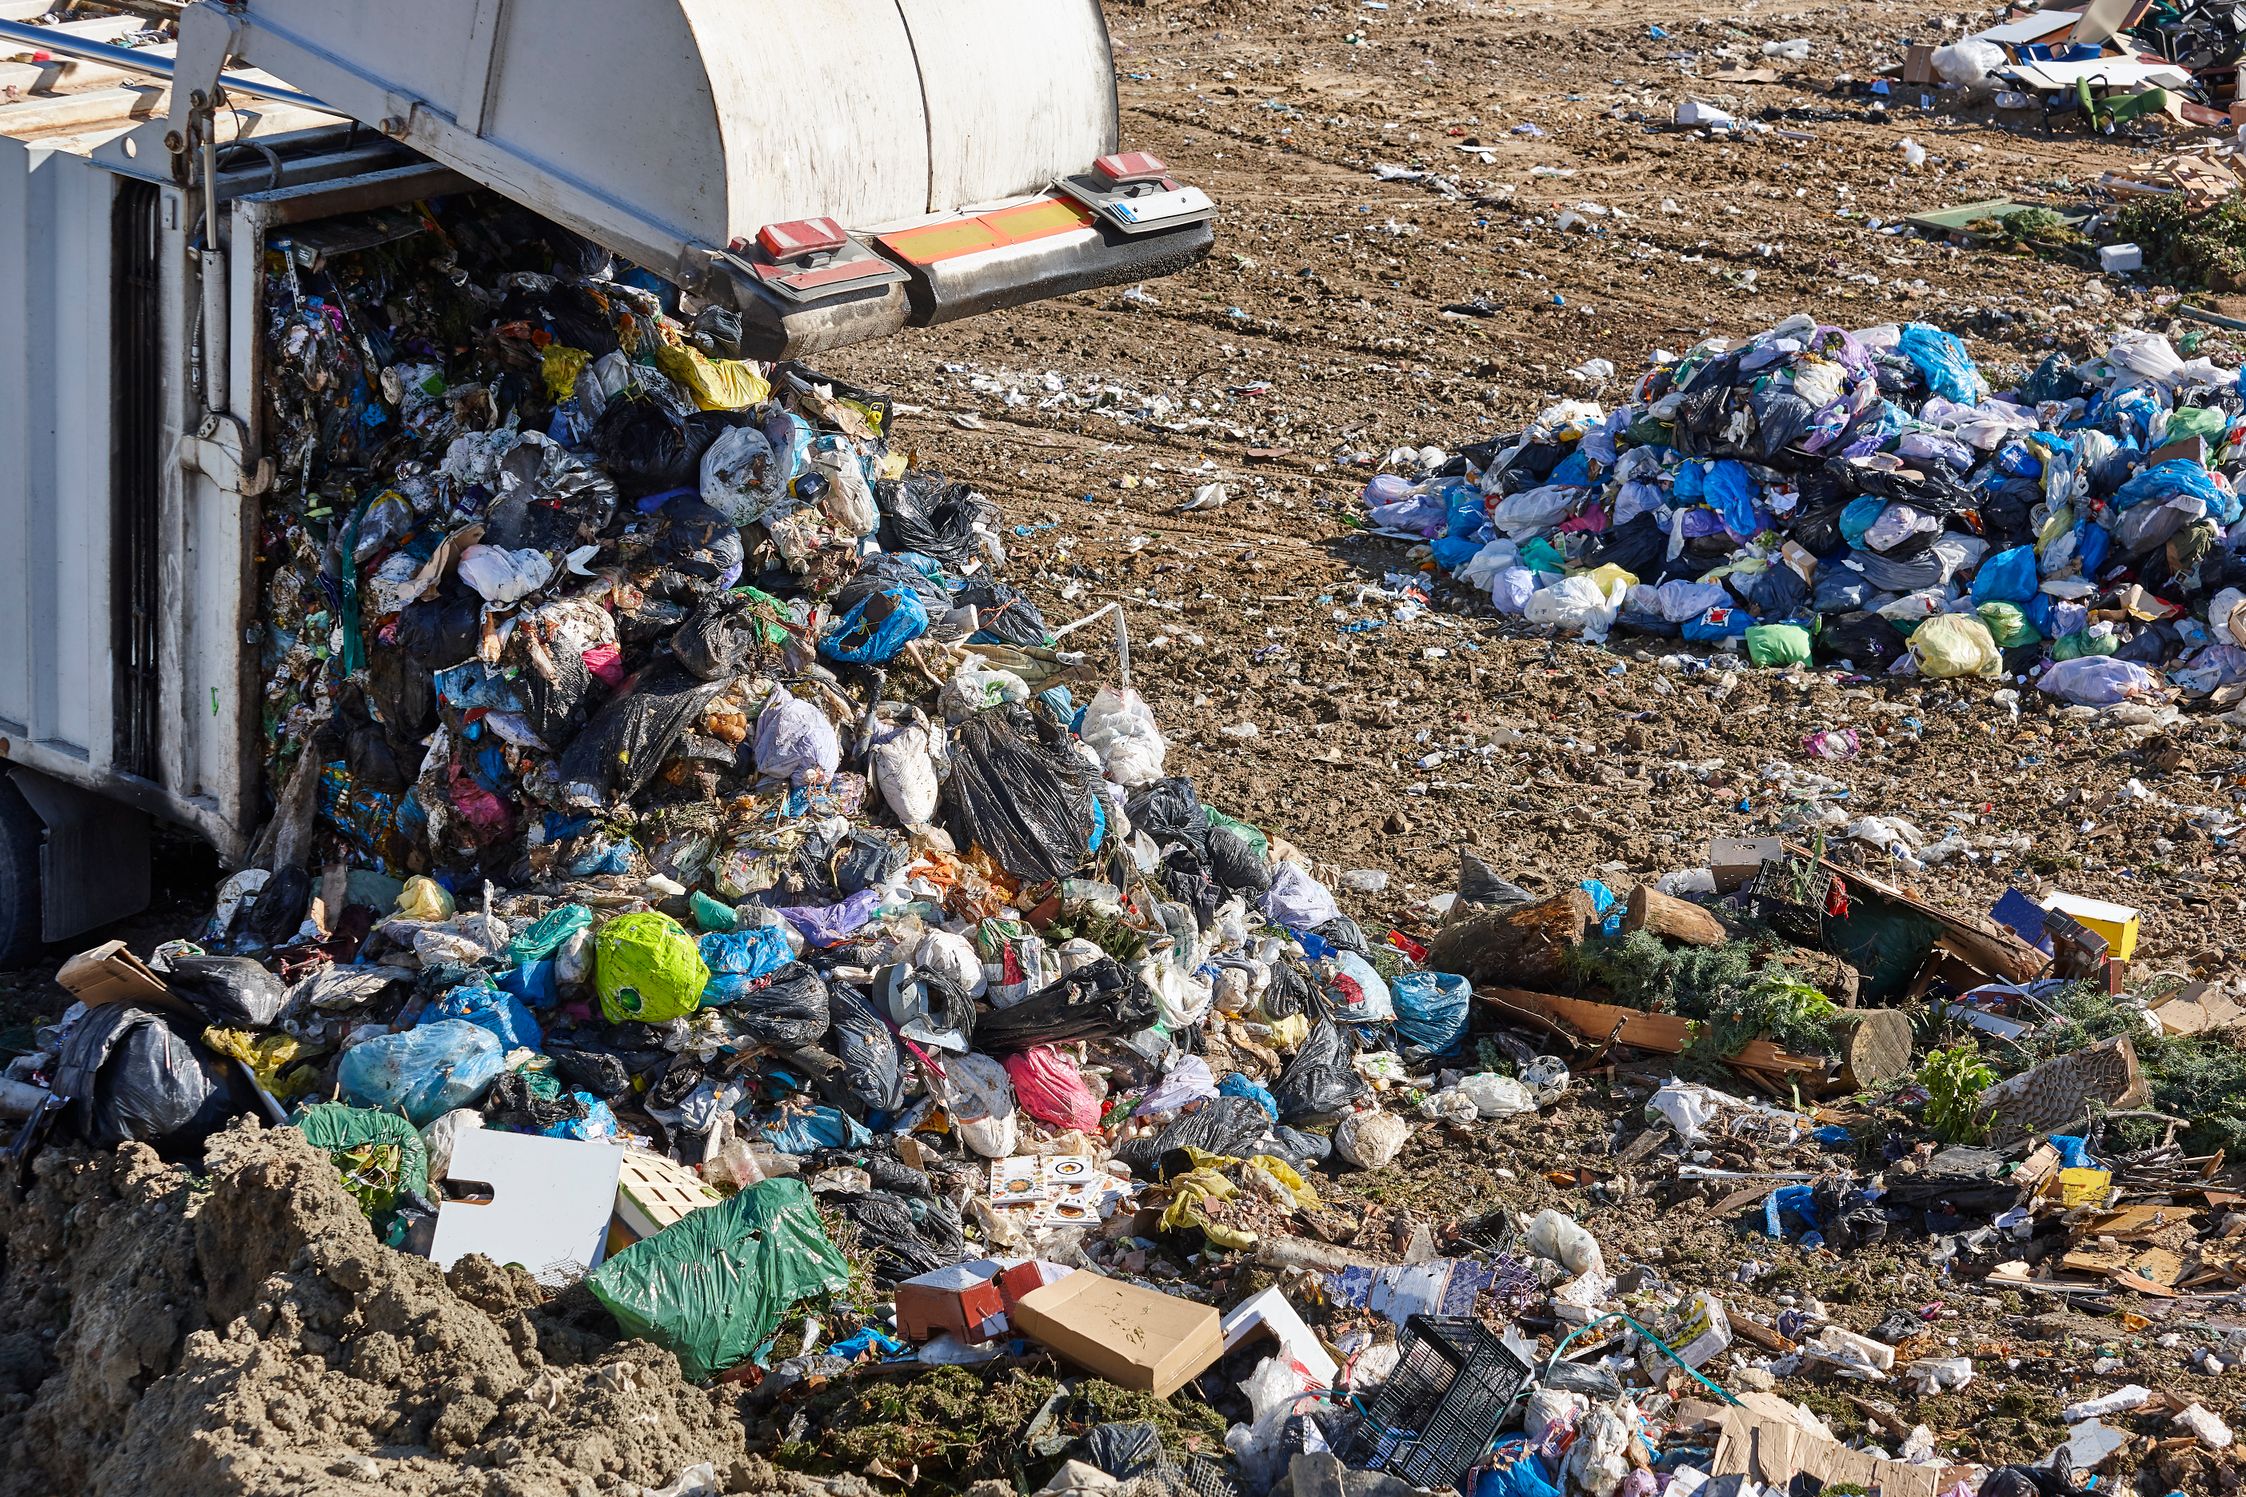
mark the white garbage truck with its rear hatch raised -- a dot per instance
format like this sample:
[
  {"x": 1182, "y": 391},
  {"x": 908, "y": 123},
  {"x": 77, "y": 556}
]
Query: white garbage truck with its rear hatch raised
[{"x": 825, "y": 169}]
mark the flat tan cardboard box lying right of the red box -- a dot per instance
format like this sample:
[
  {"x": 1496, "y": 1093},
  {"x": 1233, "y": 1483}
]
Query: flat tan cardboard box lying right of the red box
[{"x": 1126, "y": 1334}]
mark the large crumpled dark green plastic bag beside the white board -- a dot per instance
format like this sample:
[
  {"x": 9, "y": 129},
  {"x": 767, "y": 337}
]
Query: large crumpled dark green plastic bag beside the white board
[{"x": 713, "y": 1287}]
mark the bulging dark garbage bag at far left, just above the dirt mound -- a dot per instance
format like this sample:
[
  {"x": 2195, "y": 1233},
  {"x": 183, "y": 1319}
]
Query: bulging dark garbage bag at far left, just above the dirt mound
[{"x": 136, "y": 1076}]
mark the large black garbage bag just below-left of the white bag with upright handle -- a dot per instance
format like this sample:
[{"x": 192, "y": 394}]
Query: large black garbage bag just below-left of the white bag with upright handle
[{"x": 1016, "y": 798}]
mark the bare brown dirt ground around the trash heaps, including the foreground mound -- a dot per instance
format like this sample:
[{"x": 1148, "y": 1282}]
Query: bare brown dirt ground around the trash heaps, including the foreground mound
[{"x": 158, "y": 1334}]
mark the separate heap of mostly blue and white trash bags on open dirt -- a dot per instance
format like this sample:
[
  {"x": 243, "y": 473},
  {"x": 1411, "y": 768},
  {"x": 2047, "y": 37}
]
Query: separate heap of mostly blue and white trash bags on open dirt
[{"x": 1863, "y": 499}]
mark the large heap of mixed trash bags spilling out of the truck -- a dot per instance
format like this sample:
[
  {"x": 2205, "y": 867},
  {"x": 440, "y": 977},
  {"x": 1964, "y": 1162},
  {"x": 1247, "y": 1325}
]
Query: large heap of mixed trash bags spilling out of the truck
[{"x": 661, "y": 764}]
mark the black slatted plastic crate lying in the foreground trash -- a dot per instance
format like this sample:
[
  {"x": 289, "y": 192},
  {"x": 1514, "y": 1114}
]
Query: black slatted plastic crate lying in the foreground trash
[{"x": 1441, "y": 1411}]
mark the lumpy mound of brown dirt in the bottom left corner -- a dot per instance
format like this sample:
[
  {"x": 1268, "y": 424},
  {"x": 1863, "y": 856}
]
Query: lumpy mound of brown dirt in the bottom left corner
[{"x": 244, "y": 1332}]
